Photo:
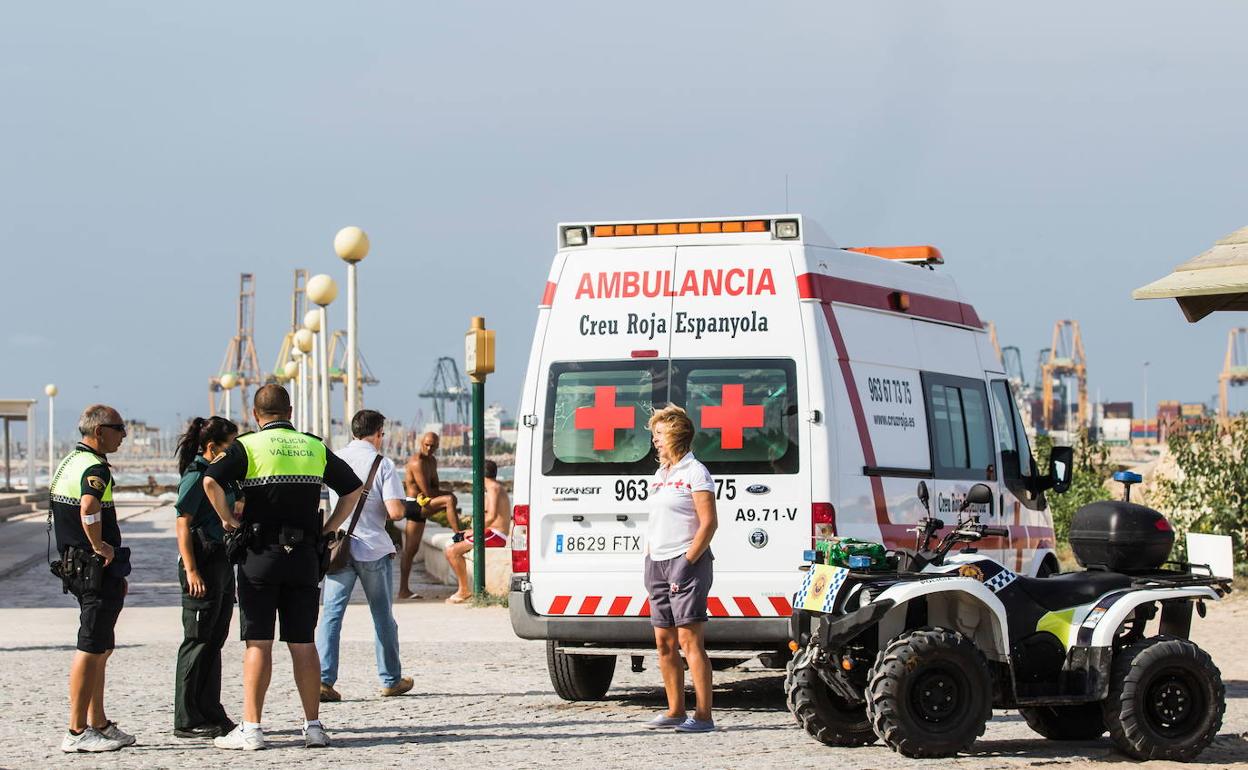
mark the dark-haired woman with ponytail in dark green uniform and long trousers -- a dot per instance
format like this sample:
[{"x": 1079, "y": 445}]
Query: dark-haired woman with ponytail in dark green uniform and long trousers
[{"x": 208, "y": 583}]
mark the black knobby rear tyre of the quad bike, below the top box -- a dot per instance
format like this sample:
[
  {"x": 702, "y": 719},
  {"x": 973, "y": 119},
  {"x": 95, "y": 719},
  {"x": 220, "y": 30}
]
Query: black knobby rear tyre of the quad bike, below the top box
[{"x": 1166, "y": 701}]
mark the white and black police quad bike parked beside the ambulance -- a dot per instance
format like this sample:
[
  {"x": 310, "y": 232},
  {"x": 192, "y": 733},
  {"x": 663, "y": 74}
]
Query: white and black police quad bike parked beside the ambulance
[{"x": 919, "y": 652}]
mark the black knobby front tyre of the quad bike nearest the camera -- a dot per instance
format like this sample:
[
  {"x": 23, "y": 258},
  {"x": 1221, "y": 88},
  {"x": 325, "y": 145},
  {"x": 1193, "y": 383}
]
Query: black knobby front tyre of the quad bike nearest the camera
[{"x": 930, "y": 693}]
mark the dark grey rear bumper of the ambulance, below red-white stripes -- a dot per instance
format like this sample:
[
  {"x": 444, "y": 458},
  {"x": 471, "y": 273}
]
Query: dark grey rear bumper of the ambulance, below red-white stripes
[{"x": 529, "y": 625}]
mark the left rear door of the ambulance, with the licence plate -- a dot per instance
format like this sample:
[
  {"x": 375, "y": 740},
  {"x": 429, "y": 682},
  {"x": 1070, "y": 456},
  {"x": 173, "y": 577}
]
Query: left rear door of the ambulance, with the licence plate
[{"x": 605, "y": 369}]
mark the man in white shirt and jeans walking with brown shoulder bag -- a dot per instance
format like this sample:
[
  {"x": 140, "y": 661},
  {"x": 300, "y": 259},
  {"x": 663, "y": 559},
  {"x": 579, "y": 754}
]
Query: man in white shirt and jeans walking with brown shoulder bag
[{"x": 373, "y": 557}]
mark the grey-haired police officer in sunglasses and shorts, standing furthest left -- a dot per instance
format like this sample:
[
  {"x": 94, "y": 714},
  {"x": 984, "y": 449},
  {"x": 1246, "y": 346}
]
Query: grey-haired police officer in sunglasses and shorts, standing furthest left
[{"x": 93, "y": 566}]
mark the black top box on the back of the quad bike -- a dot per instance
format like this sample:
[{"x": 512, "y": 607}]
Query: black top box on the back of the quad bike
[{"x": 1121, "y": 537}]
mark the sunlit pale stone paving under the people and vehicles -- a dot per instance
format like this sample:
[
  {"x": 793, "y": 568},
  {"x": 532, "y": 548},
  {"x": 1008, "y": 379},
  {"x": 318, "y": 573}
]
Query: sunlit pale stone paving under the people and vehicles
[{"x": 482, "y": 697}]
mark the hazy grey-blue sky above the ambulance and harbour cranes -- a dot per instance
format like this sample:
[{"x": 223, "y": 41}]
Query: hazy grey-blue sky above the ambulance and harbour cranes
[{"x": 1060, "y": 155}]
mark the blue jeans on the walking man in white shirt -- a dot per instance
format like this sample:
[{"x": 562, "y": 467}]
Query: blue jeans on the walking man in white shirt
[{"x": 379, "y": 581}]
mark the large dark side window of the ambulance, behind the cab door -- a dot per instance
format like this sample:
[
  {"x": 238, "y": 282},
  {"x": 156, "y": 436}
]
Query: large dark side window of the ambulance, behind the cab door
[{"x": 959, "y": 427}]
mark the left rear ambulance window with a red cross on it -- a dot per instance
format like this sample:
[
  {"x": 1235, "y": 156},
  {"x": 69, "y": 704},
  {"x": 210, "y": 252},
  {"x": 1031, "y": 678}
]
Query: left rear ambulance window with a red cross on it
[{"x": 597, "y": 415}]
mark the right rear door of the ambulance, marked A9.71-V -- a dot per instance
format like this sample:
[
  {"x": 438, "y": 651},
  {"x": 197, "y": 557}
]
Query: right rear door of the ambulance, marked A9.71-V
[{"x": 738, "y": 366}]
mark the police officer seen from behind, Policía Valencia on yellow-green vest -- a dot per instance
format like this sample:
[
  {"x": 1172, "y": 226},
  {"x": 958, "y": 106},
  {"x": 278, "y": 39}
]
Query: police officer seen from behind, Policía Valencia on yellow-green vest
[{"x": 281, "y": 472}]
